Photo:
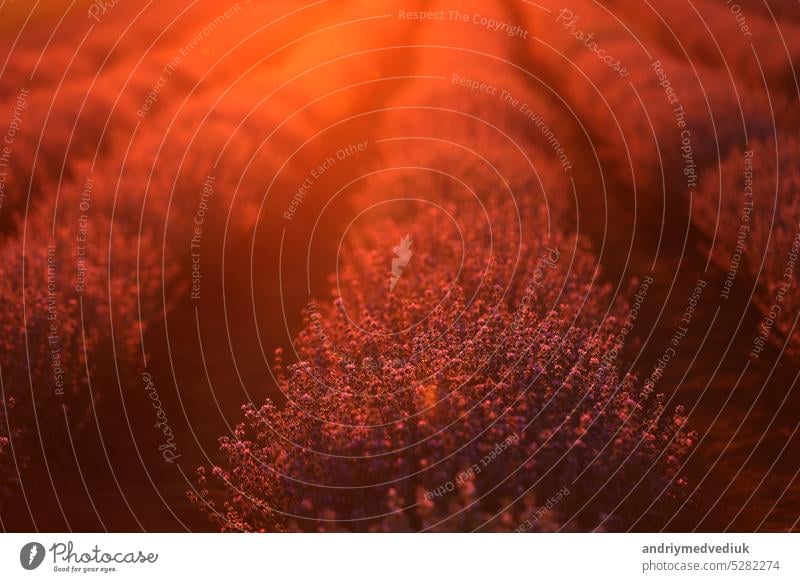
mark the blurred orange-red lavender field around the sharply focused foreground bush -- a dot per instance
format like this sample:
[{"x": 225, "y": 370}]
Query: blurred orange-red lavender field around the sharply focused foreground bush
[{"x": 258, "y": 95}]
